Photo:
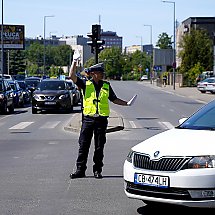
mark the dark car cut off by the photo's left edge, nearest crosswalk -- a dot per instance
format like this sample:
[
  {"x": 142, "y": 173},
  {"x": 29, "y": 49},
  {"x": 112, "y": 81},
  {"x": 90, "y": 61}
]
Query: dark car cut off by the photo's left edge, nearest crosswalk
[{"x": 6, "y": 97}]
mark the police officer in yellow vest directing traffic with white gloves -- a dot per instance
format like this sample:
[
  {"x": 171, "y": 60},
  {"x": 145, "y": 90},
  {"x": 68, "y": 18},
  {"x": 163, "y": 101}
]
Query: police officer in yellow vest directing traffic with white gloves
[{"x": 96, "y": 93}]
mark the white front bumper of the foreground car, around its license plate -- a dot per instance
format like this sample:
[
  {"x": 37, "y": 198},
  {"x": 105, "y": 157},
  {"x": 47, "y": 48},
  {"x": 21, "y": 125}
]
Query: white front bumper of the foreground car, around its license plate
[{"x": 190, "y": 187}]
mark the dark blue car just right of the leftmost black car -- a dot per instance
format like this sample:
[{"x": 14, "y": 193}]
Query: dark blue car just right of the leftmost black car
[{"x": 18, "y": 93}]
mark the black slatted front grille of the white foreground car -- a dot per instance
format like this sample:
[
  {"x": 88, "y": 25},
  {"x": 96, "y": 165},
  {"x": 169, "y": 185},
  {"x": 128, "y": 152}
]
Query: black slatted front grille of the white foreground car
[{"x": 163, "y": 164}]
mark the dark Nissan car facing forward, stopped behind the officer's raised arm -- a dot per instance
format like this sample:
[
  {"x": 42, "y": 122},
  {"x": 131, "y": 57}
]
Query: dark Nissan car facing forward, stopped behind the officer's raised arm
[{"x": 52, "y": 94}]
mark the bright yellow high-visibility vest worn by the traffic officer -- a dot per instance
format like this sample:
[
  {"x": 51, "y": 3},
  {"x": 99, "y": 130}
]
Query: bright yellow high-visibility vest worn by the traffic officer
[{"x": 90, "y": 102}]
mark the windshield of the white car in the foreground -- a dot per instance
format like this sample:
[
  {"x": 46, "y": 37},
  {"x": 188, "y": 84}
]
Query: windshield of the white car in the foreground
[{"x": 203, "y": 119}]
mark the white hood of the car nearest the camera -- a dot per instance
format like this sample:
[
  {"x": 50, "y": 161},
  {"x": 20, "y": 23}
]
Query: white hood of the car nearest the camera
[{"x": 179, "y": 142}]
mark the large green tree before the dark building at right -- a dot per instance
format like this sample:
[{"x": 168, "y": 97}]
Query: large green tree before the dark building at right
[{"x": 196, "y": 49}]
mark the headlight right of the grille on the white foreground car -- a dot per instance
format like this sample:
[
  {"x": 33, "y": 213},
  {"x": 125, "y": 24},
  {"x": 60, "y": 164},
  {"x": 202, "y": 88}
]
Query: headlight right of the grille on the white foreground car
[{"x": 207, "y": 161}]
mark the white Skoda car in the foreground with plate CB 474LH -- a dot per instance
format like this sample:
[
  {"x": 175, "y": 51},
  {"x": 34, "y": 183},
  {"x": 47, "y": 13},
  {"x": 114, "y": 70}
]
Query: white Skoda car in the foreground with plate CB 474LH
[{"x": 176, "y": 166}]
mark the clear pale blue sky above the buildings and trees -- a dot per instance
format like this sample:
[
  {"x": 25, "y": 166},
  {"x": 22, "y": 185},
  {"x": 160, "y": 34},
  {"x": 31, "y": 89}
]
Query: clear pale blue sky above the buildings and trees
[{"x": 130, "y": 19}]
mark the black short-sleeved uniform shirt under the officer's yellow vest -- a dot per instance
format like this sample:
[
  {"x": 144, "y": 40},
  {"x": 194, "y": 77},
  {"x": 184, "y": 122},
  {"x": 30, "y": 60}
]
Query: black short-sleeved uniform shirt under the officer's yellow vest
[{"x": 81, "y": 83}]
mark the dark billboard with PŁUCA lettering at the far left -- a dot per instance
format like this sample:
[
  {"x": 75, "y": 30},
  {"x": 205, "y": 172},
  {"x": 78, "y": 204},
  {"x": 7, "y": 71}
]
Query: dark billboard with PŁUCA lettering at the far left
[{"x": 13, "y": 36}]
